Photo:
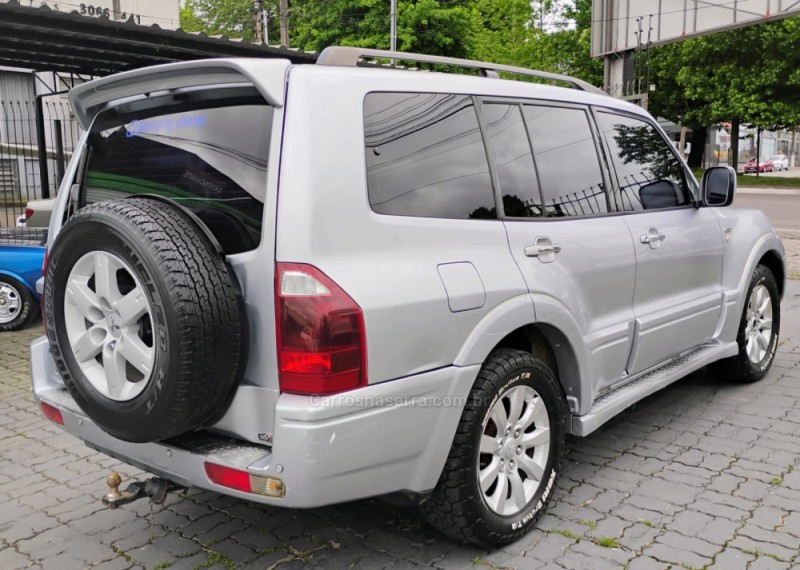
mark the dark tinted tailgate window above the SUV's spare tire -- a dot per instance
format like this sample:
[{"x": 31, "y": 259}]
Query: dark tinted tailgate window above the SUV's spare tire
[{"x": 212, "y": 161}]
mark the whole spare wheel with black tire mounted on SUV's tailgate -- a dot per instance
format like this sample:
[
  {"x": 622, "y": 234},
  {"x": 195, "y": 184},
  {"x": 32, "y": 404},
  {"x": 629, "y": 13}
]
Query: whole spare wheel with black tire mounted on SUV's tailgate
[{"x": 143, "y": 319}]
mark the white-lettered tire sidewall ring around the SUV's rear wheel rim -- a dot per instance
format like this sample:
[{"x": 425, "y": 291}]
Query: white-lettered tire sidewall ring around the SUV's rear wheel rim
[{"x": 520, "y": 523}]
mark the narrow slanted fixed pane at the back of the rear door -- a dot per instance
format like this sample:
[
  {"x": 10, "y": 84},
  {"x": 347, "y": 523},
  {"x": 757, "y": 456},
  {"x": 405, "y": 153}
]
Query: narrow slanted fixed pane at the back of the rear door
[{"x": 512, "y": 151}]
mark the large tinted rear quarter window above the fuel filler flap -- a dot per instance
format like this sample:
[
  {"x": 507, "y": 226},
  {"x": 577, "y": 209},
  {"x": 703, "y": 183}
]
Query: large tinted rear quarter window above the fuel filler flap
[{"x": 425, "y": 157}]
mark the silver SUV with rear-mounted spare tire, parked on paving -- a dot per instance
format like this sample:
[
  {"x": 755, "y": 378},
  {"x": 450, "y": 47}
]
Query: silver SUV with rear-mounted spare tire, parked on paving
[{"x": 308, "y": 284}]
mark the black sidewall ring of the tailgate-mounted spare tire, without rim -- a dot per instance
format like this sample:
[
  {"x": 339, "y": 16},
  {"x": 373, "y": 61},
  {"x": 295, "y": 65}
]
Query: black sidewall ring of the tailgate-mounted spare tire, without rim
[{"x": 103, "y": 234}]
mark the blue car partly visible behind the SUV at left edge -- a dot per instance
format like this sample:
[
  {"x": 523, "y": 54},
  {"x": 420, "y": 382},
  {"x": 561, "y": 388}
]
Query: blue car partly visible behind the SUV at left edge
[{"x": 20, "y": 267}]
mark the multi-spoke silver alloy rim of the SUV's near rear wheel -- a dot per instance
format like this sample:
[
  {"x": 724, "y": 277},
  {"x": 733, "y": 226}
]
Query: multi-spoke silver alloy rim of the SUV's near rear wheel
[{"x": 514, "y": 449}]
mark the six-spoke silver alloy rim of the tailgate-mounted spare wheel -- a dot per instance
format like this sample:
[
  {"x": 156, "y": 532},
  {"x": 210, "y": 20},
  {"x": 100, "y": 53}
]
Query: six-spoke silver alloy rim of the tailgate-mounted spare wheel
[{"x": 109, "y": 322}]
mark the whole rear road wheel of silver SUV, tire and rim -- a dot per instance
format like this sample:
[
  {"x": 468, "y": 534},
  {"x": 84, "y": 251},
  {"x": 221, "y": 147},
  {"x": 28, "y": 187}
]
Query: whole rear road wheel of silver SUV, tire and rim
[{"x": 506, "y": 455}]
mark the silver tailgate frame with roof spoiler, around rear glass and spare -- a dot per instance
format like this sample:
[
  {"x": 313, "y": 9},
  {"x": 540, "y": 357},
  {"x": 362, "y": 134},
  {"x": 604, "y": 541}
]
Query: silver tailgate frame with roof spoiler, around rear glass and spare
[{"x": 251, "y": 413}]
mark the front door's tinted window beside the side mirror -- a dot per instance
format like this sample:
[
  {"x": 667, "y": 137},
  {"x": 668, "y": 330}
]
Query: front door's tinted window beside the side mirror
[{"x": 649, "y": 174}]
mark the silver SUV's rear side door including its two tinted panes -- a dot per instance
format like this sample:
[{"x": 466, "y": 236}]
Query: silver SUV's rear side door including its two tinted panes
[{"x": 576, "y": 257}]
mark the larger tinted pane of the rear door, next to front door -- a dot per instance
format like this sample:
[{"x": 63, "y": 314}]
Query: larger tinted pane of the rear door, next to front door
[{"x": 567, "y": 161}]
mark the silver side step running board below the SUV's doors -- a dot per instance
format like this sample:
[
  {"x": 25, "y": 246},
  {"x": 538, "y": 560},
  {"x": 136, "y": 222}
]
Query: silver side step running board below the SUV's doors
[{"x": 612, "y": 403}]
